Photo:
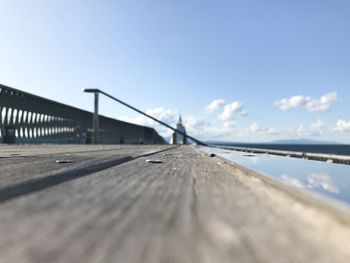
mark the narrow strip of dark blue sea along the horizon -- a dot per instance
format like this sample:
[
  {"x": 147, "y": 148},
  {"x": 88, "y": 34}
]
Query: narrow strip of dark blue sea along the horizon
[{"x": 339, "y": 149}]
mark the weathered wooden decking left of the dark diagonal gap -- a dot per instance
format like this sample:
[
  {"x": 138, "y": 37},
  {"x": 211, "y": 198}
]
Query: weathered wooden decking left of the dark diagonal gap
[{"x": 22, "y": 163}]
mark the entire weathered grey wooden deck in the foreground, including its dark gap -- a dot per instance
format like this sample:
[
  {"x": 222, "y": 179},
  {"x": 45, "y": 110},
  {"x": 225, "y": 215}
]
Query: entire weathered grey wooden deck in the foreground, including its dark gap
[{"x": 189, "y": 208}]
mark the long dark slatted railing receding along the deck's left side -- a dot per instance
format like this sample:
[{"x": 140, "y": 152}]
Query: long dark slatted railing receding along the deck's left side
[{"x": 26, "y": 118}]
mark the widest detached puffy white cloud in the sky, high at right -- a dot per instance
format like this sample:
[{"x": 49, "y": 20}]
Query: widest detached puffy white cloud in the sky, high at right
[{"x": 310, "y": 104}]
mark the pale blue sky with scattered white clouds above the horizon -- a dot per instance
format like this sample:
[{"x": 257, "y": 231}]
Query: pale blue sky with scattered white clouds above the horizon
[{"x": 269, "y": 69}]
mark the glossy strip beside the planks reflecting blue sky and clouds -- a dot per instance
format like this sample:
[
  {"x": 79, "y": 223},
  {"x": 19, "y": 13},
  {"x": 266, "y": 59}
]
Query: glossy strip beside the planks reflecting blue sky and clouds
[{"x": 329, "y": 179}]
